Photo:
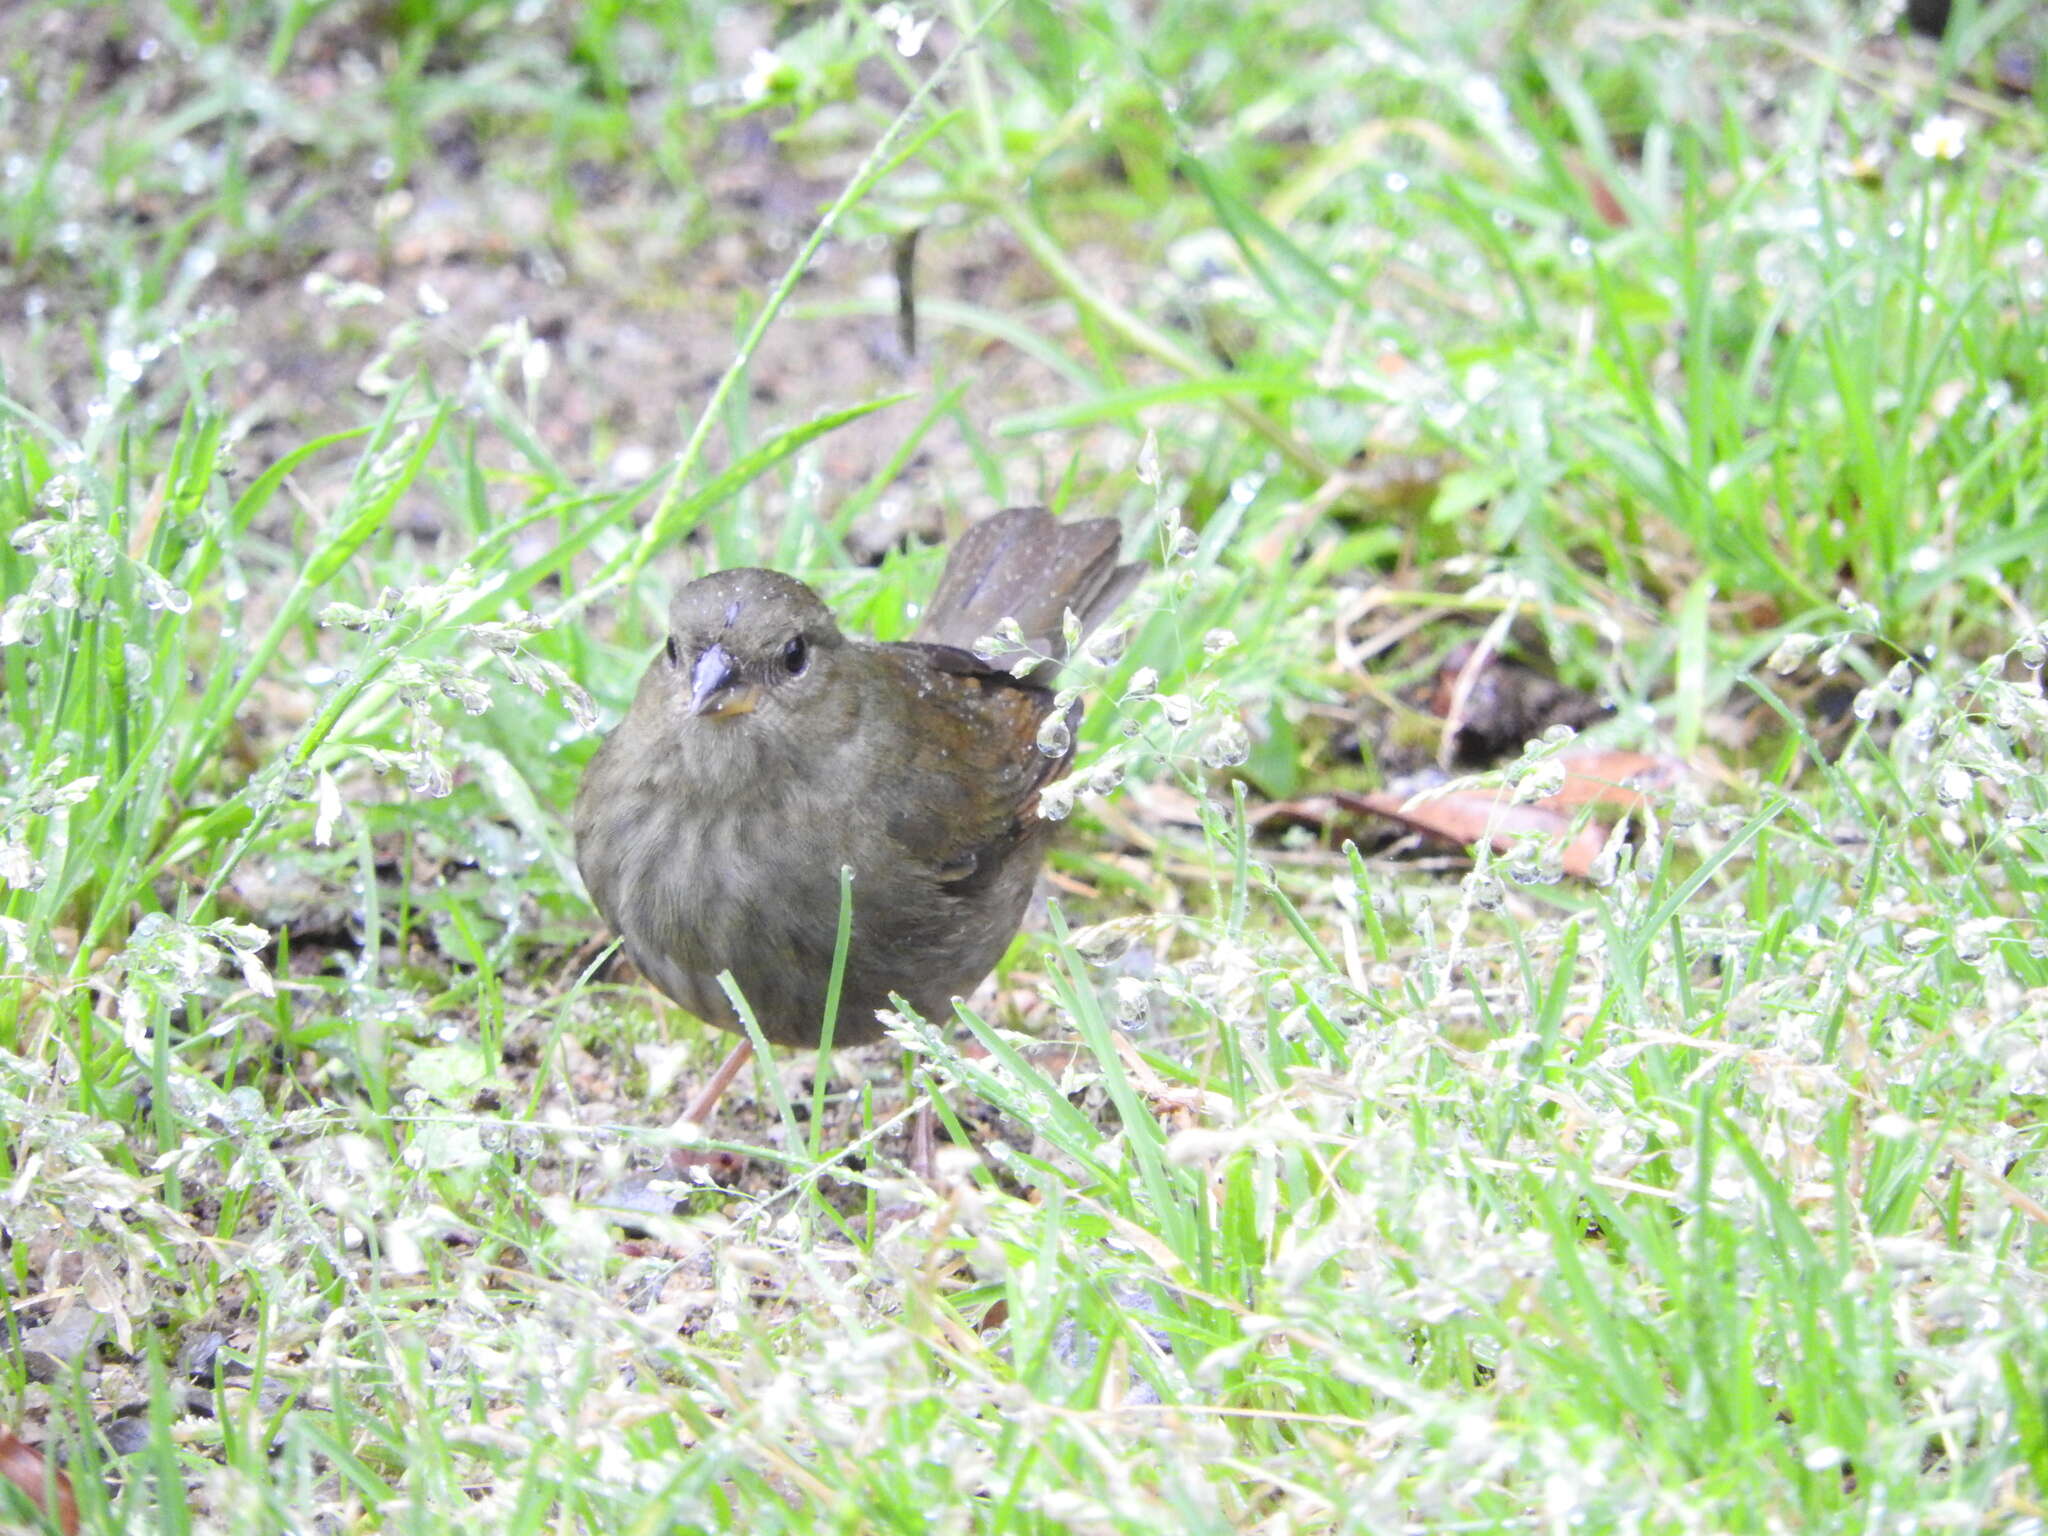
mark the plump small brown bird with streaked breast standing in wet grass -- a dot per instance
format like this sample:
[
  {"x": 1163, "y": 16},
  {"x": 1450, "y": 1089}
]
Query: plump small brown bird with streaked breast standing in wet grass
[{"x": 767, "y": 751}]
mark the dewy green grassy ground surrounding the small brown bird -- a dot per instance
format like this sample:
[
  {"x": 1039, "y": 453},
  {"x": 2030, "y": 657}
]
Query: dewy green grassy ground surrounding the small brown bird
[{"x": 1377, "y": 1195}]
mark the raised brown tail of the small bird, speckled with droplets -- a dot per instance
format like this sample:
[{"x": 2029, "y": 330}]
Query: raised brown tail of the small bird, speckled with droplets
[{"x": 1033, "y": 568}]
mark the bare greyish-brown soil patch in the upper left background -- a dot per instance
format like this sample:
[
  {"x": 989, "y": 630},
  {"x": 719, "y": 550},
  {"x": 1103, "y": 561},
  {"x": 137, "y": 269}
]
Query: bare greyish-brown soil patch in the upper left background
[{"x": 341, "y": 284}]
